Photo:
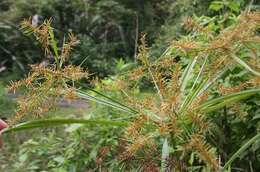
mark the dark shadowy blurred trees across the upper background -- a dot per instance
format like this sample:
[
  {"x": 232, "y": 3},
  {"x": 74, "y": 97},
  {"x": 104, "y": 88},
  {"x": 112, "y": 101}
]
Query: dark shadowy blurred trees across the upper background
[{"x": 106, "y": 35}]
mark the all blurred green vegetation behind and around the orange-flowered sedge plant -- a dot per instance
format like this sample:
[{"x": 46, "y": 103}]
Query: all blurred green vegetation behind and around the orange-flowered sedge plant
[{"x": 109, "y": 32}]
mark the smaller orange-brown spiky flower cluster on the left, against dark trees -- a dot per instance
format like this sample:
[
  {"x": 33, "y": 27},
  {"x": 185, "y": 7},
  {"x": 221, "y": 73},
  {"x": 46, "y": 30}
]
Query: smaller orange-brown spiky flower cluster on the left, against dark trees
[{"x": 47, "y": 83}]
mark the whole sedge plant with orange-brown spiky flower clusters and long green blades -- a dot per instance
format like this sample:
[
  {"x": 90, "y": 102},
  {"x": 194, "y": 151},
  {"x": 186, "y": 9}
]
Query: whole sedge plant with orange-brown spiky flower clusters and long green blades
[{"x": 172, "y": 122}]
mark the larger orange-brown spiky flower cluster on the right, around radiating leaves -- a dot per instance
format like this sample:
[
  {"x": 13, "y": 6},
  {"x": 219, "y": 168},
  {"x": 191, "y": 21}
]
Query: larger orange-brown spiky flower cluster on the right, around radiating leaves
[{"x": 172, "y": 110}]
